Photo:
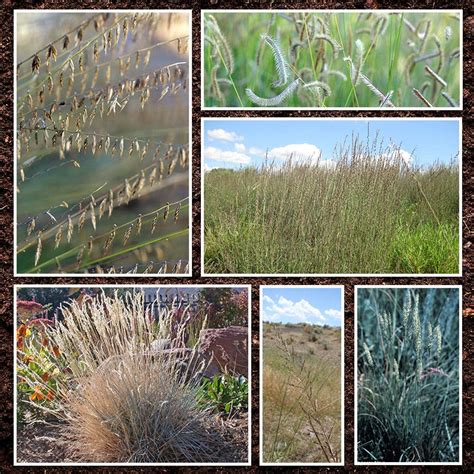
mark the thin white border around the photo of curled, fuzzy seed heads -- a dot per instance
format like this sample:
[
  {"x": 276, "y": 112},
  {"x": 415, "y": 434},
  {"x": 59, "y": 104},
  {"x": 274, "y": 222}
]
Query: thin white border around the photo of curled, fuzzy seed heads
[{"x": 393, "y": 10}]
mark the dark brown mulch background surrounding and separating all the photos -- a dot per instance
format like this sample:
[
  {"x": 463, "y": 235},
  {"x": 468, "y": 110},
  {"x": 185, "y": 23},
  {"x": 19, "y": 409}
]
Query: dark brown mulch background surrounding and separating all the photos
[{"x": 6, "y": 226}]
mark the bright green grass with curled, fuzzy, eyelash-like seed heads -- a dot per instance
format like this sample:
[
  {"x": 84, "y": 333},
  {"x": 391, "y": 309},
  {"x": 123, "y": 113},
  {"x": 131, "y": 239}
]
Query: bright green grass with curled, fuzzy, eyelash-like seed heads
[{"x": 332, "y": 59}]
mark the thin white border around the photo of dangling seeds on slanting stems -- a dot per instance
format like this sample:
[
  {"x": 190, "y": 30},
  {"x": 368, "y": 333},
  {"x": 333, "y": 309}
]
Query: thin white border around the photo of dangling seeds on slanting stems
[{"x": 190, "y": 140}]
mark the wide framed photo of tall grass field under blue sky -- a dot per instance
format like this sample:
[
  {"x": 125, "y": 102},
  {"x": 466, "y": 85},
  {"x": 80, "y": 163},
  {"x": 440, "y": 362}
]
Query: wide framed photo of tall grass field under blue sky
[{"x": 338, "y": 196}]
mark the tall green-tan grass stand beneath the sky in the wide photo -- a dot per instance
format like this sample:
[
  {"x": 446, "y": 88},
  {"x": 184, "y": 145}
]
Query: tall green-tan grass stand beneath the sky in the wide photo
[{"x": 362, "y": 214}]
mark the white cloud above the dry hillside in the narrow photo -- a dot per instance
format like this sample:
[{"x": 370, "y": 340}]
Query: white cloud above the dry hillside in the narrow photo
[{"x": 296, "y": 312}]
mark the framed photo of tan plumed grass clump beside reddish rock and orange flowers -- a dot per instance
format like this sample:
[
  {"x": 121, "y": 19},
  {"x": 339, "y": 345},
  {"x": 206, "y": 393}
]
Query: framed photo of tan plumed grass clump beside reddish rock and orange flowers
[{"x": 132, "y": 375}]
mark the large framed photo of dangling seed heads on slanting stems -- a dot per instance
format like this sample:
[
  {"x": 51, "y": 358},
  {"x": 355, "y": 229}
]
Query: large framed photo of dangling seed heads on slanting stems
[{"x": 102, "y": 124}]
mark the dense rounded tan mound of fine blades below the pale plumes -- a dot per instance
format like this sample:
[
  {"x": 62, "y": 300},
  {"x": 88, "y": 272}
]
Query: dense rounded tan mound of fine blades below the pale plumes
[{"x": 141, "y": 410}]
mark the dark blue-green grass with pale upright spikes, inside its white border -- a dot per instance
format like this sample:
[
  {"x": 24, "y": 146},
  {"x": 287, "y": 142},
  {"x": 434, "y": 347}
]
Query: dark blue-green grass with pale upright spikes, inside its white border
[{"x": 408, "y": 375}]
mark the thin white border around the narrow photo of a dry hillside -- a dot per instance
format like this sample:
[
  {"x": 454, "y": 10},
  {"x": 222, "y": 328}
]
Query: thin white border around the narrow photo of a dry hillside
[{"x": 342, "y": 387}]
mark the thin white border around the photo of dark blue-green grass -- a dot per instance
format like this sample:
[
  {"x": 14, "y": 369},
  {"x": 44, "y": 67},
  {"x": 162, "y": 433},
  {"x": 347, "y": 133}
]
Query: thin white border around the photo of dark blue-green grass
[{"x": 461, "y": 400}]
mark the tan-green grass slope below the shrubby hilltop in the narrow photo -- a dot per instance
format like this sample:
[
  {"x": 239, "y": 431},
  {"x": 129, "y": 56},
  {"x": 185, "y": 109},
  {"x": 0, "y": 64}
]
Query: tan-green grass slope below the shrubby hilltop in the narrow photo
[{"x": 301, "y": 401}]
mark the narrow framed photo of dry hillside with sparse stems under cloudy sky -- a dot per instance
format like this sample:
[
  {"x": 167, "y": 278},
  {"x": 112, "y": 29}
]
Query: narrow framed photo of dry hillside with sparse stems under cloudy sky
[{"x": 301, "y": 375}]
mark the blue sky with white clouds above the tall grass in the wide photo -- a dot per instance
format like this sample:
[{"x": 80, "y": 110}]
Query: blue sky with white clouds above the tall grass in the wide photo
[{"x": 237, "y": 143}]
